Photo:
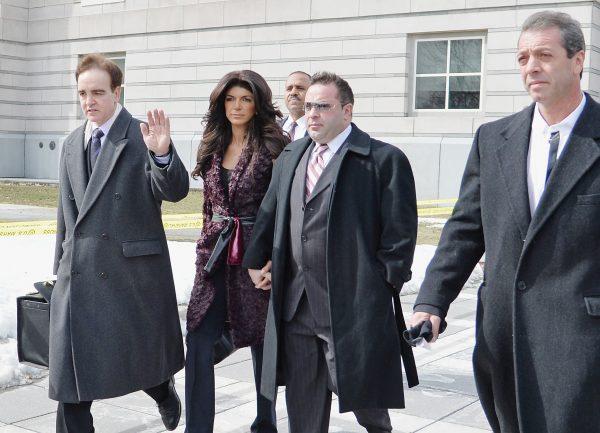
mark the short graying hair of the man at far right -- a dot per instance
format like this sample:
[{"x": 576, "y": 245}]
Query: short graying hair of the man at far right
[{"x": 570, "y": 29}]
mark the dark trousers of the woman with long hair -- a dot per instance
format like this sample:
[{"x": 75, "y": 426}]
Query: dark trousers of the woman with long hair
[{"x": 200, "y": 372}]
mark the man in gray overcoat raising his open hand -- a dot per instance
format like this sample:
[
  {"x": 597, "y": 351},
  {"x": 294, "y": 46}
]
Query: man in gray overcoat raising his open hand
[{"x": 114, "y": 323}]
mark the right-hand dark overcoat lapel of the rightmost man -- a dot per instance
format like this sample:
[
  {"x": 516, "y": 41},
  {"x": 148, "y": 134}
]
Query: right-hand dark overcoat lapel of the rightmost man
[{"x": 580, "y": 153}]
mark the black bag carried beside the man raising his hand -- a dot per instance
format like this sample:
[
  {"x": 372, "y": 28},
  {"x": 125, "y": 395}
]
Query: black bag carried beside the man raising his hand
[{"x": 33, "y": 325}]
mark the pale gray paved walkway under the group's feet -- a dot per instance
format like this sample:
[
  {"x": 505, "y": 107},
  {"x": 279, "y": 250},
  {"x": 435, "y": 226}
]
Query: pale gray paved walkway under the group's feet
[{"x": 445, "y": 401}]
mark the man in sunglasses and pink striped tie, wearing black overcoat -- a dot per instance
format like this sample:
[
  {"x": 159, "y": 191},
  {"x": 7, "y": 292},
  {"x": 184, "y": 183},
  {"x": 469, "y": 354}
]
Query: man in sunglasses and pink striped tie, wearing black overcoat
[{"x": 339, "y": 222}]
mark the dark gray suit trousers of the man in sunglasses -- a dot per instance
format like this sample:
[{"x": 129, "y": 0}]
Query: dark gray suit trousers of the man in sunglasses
[{"x": 309, "y": 370}]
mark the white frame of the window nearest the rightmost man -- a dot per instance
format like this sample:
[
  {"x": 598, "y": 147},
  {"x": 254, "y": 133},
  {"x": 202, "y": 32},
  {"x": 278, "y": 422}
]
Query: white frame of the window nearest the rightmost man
[{"x": 448, "y": 74}]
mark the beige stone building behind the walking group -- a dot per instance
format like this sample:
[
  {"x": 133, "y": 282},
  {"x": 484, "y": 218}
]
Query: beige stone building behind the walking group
[{"x": 426, "y": 73}]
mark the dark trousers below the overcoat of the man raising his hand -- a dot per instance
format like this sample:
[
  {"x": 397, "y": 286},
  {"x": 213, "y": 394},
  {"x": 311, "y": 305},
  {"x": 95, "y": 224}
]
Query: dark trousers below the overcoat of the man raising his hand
[{"x": 77, "y": 417}]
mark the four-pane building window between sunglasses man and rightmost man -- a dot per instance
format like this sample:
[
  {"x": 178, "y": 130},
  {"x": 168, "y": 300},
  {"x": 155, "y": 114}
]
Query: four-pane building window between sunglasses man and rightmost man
[{"x": 448, "y": 74}]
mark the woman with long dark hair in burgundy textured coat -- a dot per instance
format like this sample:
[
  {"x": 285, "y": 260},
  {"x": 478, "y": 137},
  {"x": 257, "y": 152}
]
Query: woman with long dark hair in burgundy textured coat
[{"x": 241, "y": 140}]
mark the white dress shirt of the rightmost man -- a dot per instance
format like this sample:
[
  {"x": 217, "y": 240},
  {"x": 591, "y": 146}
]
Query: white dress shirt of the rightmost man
[{"x": 539, "y": 147}]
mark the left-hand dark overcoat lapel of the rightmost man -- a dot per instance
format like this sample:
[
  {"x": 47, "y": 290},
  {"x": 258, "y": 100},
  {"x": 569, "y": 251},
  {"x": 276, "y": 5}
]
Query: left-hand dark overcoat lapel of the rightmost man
[{"x": 512, "y": 158}]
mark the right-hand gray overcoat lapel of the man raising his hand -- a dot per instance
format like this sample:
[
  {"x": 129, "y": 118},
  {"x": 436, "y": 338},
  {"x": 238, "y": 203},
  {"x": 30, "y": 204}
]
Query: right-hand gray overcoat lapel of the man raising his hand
[{"x": 107, "y": 159}]
